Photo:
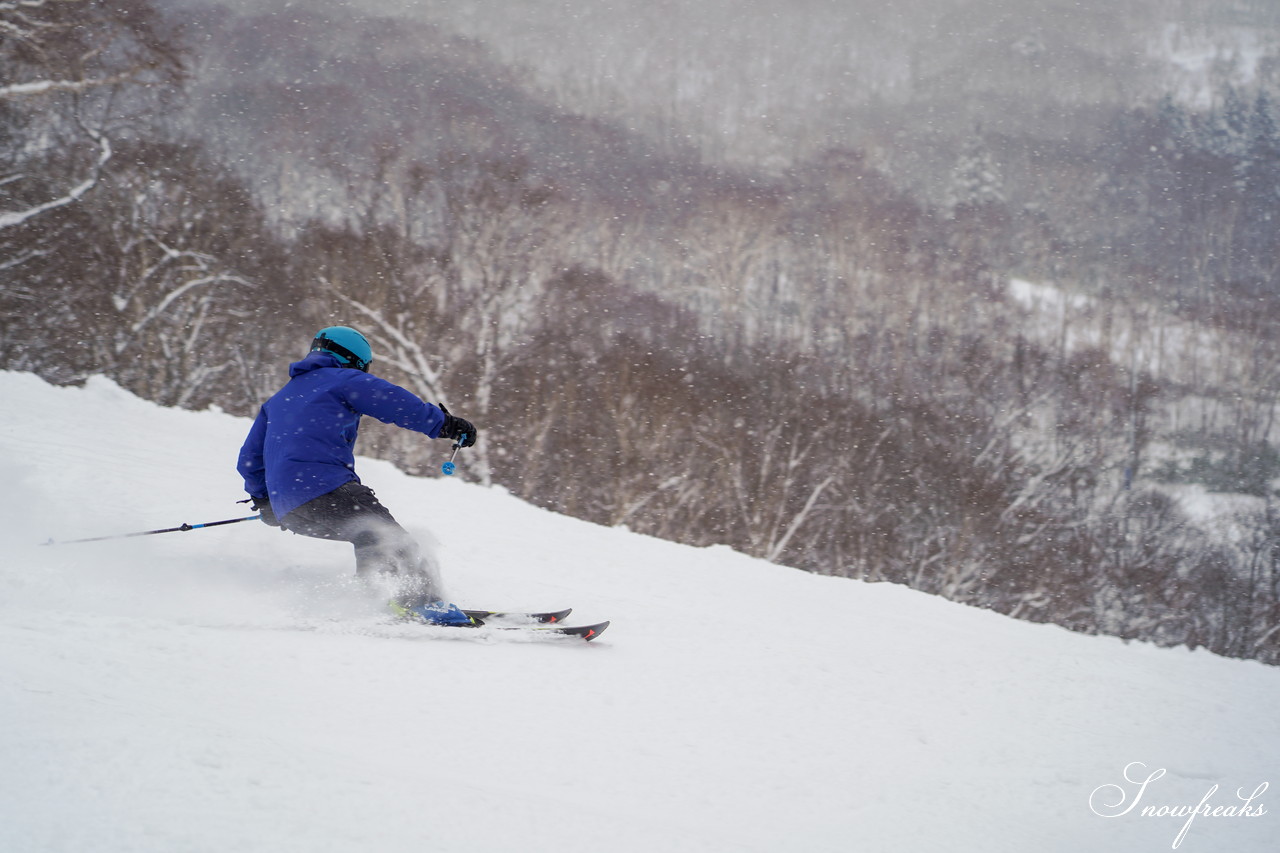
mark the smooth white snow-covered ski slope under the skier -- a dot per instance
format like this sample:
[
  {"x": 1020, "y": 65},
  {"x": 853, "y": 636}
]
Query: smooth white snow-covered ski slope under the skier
[{"x": 228, "y": 690}]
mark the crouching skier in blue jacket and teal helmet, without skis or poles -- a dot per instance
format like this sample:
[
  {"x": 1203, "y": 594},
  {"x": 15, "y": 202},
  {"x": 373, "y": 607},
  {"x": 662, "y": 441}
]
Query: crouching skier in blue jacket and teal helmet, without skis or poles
[{"x": 299, "y": 466}]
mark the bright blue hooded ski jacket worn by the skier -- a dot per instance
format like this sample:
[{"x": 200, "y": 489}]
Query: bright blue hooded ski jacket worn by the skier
[{"x": 303, "y": 444}]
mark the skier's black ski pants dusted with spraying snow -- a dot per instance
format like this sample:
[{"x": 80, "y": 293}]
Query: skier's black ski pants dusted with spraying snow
[{"x": 354, "y": 514}]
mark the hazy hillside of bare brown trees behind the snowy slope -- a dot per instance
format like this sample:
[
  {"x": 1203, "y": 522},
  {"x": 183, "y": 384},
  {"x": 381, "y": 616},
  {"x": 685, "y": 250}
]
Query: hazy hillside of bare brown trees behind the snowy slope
[{"x": 802, "y": 343}]
